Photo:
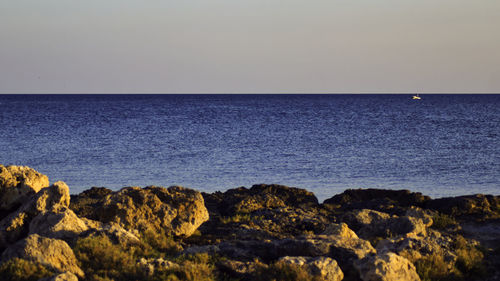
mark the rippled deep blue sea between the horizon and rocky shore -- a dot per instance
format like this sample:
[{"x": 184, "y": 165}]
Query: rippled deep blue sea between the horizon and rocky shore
[{"x": 442, "y": 145}]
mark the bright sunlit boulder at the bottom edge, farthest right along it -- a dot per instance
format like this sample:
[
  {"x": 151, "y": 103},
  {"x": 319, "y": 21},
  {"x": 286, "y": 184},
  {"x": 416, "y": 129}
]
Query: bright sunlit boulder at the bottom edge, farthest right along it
[{"x": 386, "y": 267}]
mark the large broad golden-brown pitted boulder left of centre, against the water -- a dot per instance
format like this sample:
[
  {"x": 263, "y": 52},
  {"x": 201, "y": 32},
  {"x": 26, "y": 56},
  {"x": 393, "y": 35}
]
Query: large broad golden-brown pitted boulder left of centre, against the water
[{"x": 176, "y": 210}]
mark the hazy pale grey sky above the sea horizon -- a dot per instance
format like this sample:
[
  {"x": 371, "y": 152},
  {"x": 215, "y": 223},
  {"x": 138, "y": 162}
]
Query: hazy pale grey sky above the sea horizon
[{"x": 249, "y": 46}]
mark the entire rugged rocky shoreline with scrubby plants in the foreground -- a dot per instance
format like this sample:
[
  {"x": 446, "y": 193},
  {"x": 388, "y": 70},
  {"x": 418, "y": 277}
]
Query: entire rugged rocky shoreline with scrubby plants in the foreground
[{"x": 266, "y": 232}]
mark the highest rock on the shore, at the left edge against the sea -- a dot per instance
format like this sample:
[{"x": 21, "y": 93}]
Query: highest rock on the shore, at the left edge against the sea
[{"x": 18, "y": 183}]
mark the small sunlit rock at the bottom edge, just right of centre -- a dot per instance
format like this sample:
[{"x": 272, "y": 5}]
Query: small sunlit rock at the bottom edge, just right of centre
[{"x": 325, "y": 268}]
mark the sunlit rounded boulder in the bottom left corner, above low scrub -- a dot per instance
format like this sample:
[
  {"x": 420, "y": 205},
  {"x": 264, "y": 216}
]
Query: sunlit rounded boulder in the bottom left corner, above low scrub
[{"x": 53, "y": 253}]
